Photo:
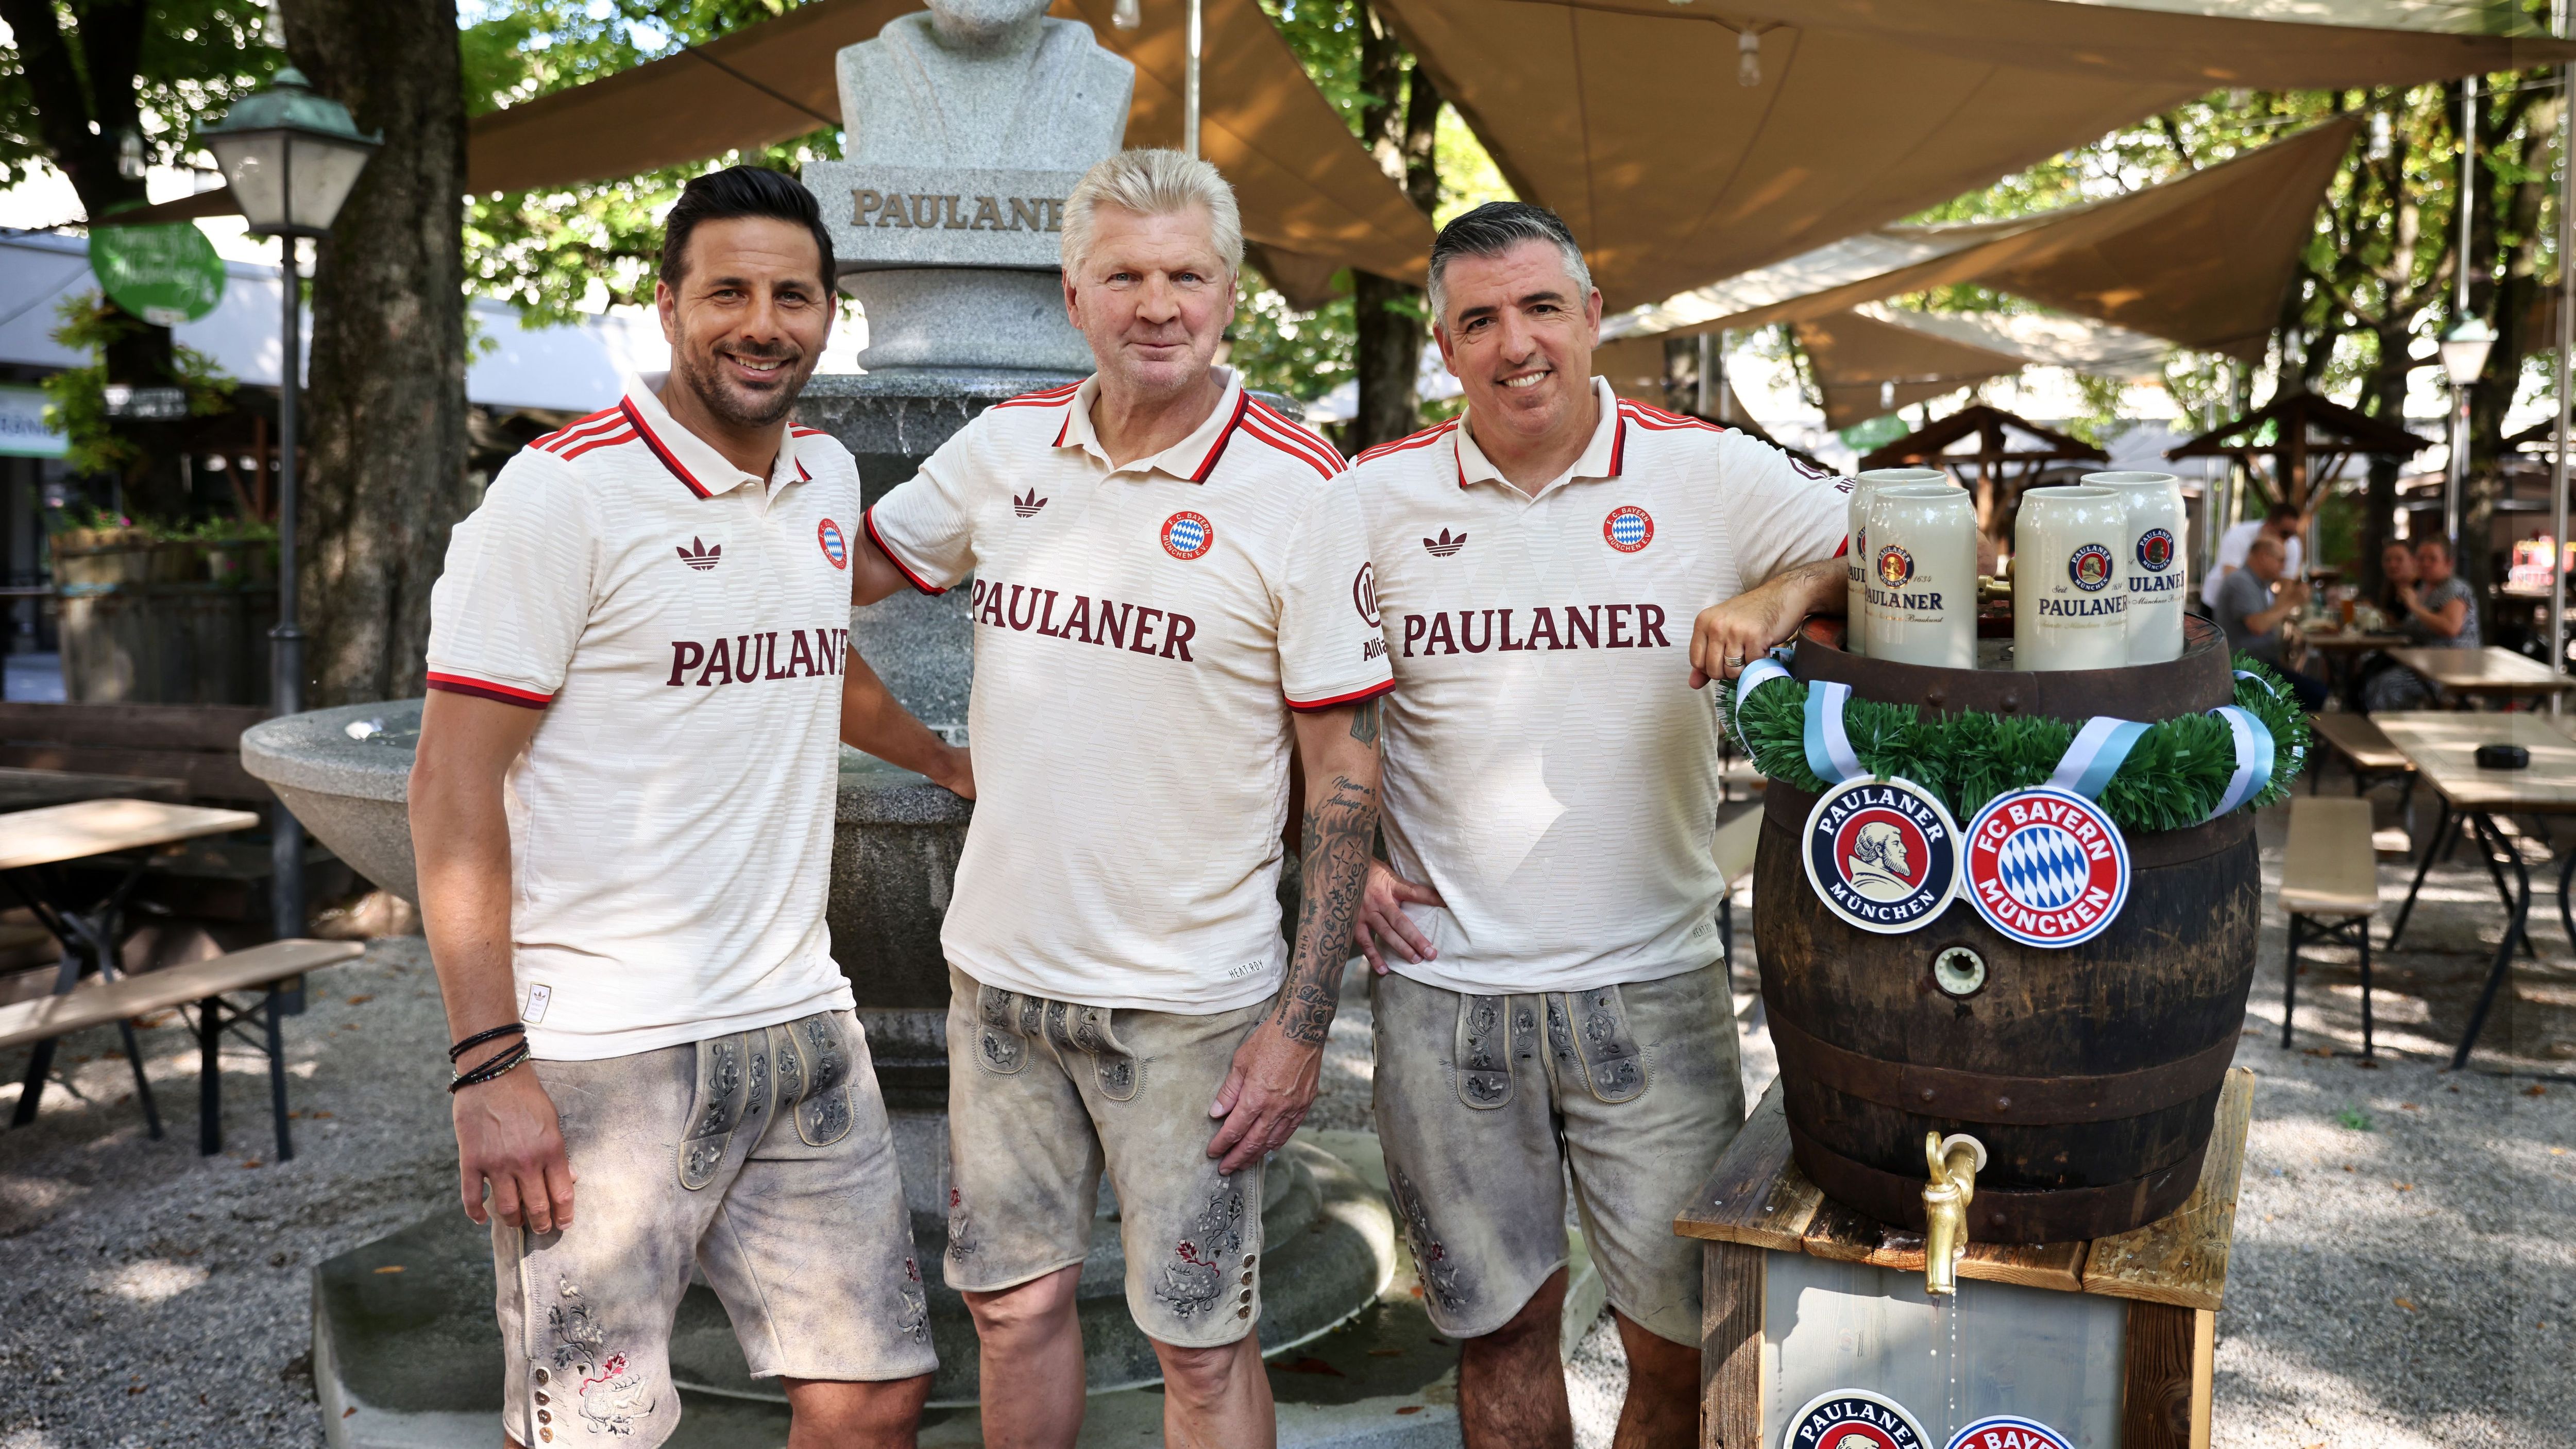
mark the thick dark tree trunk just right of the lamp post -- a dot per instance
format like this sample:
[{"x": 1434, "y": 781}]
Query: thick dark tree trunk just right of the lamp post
[{"x": 385, "y": 436}]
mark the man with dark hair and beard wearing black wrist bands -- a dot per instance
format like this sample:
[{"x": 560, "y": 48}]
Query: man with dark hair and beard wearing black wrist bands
[{"x": 622, "y": 812}]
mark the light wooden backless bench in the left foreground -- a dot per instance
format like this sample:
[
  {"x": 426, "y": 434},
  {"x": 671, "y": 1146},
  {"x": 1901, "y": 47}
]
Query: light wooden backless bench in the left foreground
[{"x": 117, "y": 1000}]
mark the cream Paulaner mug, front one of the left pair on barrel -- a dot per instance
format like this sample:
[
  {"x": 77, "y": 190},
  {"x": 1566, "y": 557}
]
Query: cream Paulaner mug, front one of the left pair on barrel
[{"x": 1923, "y": 575}]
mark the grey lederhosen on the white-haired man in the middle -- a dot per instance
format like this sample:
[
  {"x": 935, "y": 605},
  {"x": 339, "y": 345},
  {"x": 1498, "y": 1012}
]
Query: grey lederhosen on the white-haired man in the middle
[{"x": 1045, "y": 1098}]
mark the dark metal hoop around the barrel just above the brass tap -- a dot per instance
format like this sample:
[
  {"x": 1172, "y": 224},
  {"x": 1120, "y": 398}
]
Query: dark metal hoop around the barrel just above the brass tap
[{"x": 2005, "y": 1100}]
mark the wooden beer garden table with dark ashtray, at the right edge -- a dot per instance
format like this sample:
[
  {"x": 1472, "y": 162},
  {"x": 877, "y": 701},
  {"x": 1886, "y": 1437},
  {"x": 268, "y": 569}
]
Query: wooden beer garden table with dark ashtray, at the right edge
[{"x": 2443, "y": 750}]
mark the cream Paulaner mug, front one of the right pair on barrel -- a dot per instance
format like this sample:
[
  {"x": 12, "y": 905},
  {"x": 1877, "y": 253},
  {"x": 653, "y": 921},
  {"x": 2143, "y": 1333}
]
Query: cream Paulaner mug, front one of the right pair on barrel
[{"x": 2070, "y": 593}]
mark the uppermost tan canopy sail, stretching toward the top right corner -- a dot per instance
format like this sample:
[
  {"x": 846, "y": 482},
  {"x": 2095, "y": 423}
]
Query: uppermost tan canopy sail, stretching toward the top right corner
[{"x": 1629, "y": 120}]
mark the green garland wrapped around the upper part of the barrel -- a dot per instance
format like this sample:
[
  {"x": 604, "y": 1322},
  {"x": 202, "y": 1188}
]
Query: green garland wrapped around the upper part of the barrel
[{"x": 2170, "y": 781}]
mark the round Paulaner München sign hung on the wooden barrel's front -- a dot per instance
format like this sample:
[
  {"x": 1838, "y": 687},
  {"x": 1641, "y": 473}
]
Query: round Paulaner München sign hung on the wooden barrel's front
[{"x": 1882, "y": 856}]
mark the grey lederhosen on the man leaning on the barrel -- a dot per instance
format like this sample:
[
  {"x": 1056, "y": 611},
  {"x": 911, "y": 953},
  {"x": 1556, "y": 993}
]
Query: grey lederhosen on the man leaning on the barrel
[{"x": 1488, "y": 1100}]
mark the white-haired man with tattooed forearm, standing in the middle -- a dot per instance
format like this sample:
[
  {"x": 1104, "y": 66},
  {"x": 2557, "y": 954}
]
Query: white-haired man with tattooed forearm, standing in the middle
[{"x": 1168, "y": 596}]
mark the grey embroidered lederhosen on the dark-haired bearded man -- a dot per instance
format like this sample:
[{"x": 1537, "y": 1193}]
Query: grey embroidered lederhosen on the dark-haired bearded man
[{"x": 766, "y": 1159}]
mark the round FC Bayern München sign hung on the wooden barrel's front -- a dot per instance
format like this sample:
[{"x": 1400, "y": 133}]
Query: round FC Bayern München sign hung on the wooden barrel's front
[{"x": 2047, "y": 869}]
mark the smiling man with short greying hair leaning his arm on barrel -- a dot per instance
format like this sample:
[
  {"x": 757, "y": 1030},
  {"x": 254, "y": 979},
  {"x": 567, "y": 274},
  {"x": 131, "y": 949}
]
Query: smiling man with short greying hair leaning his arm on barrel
[{"x": 1560, "y": 570}]
